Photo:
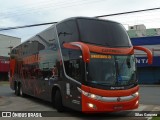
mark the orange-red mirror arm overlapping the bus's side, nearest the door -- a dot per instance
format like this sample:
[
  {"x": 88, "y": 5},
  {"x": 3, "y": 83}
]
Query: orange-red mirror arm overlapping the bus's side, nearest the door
[{"x": 78, "y": 45}]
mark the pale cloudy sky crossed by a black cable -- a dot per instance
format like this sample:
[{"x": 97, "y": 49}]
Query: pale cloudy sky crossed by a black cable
[{"x": 25, "y": 12}]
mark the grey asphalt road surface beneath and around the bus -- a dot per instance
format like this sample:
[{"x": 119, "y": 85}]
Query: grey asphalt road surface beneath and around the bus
[{"x": 149, "y": 101}]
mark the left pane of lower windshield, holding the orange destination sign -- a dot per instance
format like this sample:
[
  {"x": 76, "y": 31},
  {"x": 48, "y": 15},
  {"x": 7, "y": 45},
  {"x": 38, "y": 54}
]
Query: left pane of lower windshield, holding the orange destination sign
[{"x": 101, "y": 70}]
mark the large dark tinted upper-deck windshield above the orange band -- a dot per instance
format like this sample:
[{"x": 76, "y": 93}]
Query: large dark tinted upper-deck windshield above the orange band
[{"x": 104, "y": 33}]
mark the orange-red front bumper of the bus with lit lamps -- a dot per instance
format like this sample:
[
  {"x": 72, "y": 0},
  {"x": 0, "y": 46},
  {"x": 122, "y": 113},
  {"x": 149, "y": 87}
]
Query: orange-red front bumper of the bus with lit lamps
[{"x": 91, "y": 105}]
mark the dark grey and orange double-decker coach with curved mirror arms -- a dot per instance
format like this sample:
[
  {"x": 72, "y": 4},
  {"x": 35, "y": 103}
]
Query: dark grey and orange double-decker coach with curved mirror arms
[{"x": 85, "y": 64}]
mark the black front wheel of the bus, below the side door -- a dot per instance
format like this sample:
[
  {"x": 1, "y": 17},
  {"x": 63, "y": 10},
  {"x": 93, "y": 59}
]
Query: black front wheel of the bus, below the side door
[{"x": 58, "y": 101}]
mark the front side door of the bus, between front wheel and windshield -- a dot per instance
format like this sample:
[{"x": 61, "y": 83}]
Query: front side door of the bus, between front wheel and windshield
[{"x": 73, "y": 65}]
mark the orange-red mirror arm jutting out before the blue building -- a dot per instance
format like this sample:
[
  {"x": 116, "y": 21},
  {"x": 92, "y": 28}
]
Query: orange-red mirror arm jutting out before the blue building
[{"x": 149, "y": 53}]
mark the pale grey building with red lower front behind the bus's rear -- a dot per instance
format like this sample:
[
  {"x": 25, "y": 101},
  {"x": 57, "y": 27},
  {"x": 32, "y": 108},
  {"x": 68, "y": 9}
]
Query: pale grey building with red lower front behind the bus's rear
[{"x": 6, "y": 44}]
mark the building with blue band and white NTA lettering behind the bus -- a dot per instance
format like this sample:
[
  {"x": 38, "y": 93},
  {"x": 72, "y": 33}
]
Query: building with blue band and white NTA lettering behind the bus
[{"x": 150, "y": 38}]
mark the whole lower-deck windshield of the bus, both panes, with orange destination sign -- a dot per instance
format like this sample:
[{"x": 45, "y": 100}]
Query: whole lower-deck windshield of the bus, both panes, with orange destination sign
[{"x": 111, "y": 70}]
